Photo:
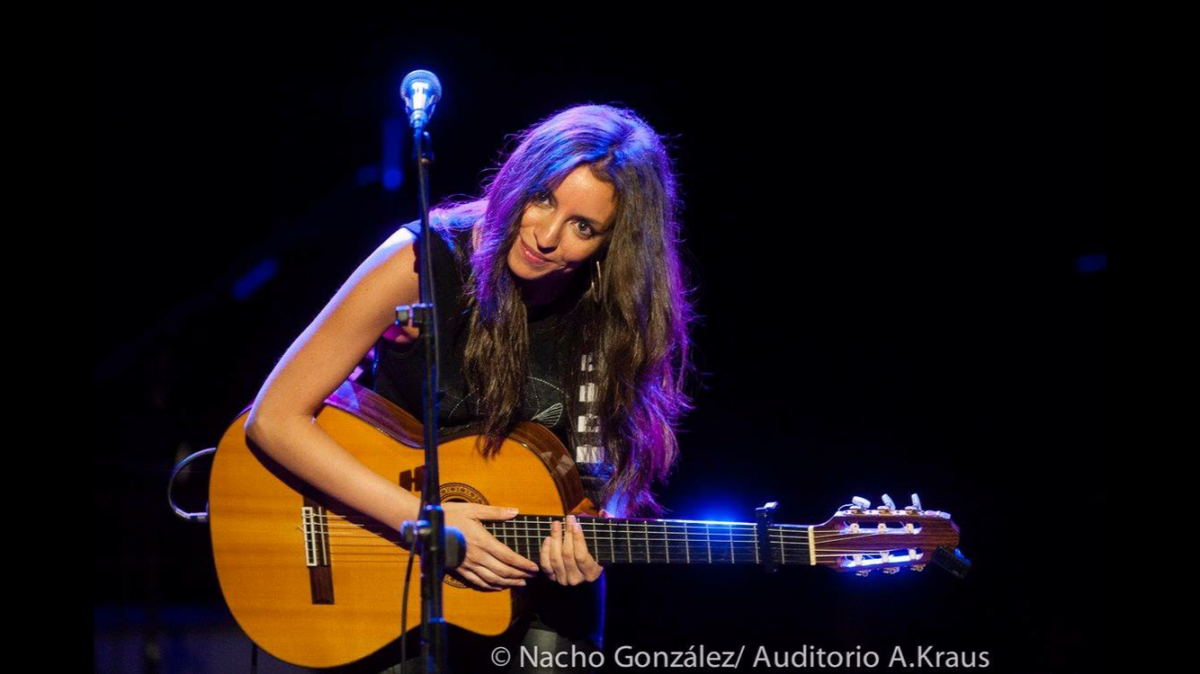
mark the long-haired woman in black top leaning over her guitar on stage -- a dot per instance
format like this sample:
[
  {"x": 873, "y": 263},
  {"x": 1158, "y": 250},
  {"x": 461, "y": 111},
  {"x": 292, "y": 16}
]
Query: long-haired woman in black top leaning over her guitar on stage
[{"x": 565, "y": 278}]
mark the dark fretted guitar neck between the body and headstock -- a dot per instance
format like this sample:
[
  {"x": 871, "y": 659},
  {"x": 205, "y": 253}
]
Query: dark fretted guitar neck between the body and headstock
[{"x": 662, "y": 541}]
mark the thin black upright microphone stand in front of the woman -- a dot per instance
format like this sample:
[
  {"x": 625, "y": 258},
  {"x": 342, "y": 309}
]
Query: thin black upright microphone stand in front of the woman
[{"x": 429, "y": 535}]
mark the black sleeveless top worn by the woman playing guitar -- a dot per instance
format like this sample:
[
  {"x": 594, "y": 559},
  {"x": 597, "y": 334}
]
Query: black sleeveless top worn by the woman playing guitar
[{"x": 400, "y": 369}]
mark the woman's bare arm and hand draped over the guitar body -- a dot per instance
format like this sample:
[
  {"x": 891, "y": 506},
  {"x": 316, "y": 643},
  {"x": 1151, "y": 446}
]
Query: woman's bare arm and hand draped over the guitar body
[{"x": 281, "y": 422}]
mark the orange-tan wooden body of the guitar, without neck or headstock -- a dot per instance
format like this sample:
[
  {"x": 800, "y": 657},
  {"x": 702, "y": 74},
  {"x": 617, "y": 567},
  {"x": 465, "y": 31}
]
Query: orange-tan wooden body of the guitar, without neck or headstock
[{"x": 319, "y": 585}]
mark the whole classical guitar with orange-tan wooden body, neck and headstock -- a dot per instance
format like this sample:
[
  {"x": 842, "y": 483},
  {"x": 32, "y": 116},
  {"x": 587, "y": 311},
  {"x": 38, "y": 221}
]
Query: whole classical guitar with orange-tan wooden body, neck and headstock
[{"x": 317, "y": 585}]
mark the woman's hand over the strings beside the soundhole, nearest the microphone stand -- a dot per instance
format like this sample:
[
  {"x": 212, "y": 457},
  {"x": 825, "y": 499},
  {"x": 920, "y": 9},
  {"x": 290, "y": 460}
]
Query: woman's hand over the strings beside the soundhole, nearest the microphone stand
[{"x": 490, "y": 564}]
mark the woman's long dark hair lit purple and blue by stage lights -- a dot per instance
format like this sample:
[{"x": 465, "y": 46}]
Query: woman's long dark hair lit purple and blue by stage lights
[{"x": 635, "y": 317}]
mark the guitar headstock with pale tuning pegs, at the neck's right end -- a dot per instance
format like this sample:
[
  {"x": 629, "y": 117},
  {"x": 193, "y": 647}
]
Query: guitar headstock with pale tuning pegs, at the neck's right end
[{"x": 861, "y": 539}]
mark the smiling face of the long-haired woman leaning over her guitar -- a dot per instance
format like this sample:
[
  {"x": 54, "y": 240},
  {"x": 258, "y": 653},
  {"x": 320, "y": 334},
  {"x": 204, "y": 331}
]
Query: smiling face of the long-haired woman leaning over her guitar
[{"x": 563, "y": 232}]
